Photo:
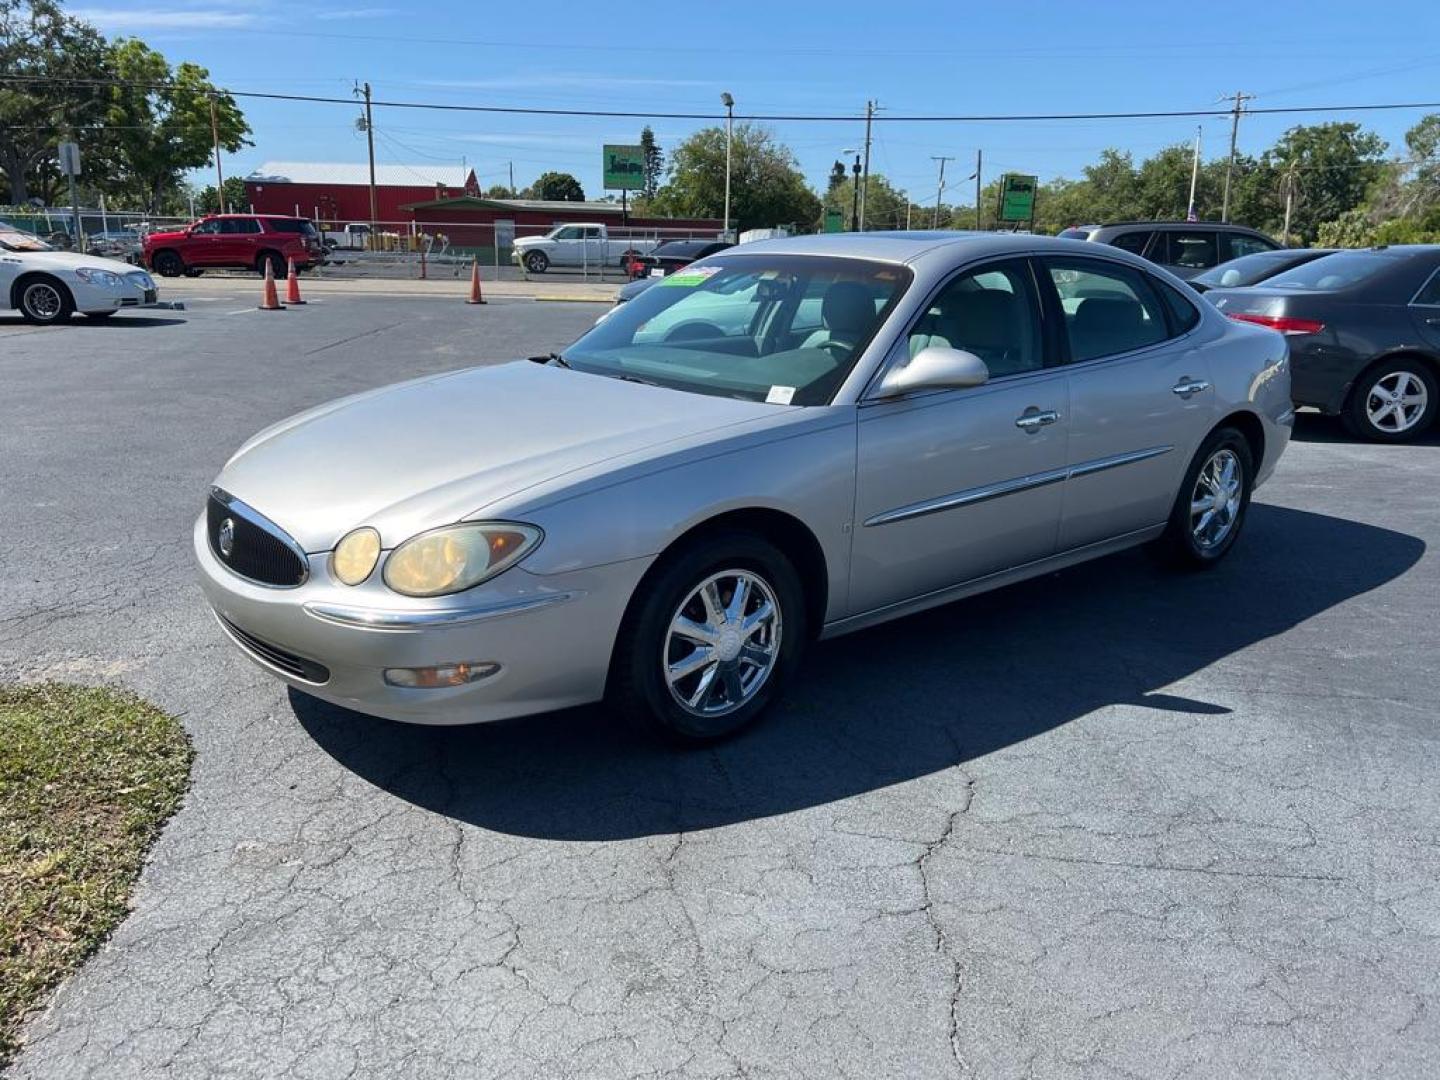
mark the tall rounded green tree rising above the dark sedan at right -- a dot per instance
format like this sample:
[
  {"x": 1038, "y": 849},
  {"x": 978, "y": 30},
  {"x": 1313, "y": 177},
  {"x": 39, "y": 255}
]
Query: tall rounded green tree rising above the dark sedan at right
[{"x": 1336, "y": 165}]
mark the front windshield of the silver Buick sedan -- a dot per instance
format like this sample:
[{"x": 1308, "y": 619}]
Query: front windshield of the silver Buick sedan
[{"x": 783, "y": 329}]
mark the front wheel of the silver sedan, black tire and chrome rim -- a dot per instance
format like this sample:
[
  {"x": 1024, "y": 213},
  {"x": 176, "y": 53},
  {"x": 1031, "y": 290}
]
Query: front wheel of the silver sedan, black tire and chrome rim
[{"x": 712, "y": 640}]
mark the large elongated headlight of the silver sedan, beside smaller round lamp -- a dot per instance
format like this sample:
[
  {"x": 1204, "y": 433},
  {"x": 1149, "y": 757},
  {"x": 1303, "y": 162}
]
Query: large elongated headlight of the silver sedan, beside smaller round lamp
[{"x": 457, "y": 558}]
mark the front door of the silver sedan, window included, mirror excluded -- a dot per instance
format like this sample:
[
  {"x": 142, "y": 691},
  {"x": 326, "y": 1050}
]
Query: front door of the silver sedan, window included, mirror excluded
[{"x": 957, "y": 485}]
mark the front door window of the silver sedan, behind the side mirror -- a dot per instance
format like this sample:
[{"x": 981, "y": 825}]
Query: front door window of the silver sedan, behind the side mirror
[{"x": 990, "y": 312}]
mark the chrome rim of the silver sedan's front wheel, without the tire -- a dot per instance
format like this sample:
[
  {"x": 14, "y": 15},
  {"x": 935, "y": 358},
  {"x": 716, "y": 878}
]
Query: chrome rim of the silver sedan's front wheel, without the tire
[{"x": 724, "y": 643}]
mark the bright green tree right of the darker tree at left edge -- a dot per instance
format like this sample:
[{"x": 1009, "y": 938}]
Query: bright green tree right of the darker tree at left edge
[{"x": 159, "y": 122}]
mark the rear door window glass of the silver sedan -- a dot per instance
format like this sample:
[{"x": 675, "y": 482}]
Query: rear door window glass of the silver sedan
[{"x": 1108, "y": 309}]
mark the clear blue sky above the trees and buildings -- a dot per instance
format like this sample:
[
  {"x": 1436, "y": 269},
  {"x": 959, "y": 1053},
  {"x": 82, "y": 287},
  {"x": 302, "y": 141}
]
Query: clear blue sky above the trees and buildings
[{"x": 790, "y": 57}]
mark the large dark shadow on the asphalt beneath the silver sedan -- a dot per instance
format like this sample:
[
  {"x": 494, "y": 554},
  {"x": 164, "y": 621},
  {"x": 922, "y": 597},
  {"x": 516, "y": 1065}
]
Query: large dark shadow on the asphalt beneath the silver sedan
[{"x": 892, "y": 703}]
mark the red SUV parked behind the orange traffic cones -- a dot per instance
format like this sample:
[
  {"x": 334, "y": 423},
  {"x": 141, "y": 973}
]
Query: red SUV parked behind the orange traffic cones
[{"x": 246, "y": 241}]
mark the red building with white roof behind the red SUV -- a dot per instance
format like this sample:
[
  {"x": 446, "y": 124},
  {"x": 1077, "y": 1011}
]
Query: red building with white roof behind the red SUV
[{"x": 342, "y": 192}]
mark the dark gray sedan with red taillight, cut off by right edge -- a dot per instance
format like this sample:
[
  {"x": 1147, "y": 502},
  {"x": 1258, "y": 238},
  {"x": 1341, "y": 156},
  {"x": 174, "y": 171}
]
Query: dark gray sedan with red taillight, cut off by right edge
[{"x": 1364, "y": 330}]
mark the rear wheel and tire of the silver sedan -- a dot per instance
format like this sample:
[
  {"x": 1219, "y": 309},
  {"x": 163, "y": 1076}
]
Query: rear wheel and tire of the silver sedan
[{"x": 1210, "y": 509}]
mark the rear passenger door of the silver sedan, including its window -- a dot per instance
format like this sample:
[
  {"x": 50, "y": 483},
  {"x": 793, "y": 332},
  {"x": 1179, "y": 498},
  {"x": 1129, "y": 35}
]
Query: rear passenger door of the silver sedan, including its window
[{"x": 1140, "y": 395}]
